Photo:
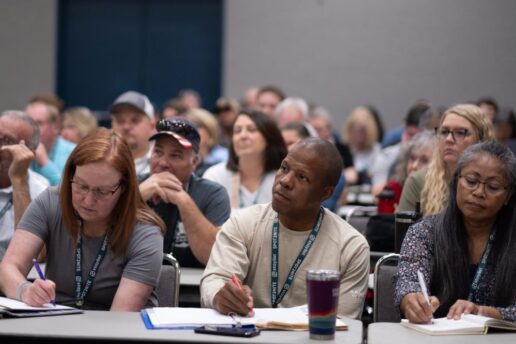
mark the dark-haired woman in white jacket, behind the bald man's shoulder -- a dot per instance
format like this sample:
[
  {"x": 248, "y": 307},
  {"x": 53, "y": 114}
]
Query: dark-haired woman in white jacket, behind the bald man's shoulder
[{"x": 255, "y": 154}]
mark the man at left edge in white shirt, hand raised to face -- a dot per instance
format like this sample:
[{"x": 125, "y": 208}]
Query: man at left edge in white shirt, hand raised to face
[{"x": 19, "y": 138}]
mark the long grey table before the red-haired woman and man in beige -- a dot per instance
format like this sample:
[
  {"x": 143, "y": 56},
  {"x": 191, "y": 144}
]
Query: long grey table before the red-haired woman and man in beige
[{"x": 128, "y": 327}]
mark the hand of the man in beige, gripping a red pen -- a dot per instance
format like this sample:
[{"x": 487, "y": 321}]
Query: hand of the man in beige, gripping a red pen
[{"x": 231, "y": 299}]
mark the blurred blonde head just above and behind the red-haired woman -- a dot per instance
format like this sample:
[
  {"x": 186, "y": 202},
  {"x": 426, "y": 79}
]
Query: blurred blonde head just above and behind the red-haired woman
[{"x": 77, "y": 123}]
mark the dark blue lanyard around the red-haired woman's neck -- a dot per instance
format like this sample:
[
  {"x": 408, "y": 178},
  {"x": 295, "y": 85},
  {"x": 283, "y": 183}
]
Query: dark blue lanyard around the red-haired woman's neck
[{"x": 80, "y": 291}]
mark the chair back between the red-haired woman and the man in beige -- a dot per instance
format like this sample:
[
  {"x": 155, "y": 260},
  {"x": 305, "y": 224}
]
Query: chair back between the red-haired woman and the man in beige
[{"x": 167, "y": 289}]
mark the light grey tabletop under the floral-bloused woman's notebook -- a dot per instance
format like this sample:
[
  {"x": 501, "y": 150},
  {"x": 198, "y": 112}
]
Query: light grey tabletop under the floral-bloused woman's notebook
[{"x": 394, "y": 333}]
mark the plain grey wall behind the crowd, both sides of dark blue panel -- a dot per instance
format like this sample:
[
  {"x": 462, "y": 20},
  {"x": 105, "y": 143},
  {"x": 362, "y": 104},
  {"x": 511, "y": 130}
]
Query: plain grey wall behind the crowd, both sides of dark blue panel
[{"x": 339, "y": 53}]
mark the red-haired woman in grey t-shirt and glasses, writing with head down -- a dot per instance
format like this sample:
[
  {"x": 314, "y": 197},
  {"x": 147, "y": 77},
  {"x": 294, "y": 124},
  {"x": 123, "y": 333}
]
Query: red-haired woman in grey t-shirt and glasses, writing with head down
[{"x": 104, "y": 245}]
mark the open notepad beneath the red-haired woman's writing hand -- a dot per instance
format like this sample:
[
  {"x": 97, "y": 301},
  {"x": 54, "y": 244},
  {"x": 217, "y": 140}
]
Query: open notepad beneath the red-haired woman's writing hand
[{"x": 10, "y": 308}]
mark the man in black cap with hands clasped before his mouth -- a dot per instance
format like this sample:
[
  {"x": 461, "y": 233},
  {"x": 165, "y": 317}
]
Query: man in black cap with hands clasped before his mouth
[{"x": 192, "y": 207}]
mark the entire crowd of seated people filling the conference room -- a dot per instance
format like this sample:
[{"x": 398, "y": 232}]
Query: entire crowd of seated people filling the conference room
[{"x": 214, "y": 189}]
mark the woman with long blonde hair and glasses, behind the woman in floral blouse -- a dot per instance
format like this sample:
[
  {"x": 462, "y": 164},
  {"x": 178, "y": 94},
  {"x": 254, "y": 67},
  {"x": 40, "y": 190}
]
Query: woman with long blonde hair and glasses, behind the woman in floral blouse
[{"x": 460, "y": 126}]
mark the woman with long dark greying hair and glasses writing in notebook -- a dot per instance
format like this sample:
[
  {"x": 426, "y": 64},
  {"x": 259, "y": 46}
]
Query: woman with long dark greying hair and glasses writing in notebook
[{"x": 466, "y": 252}]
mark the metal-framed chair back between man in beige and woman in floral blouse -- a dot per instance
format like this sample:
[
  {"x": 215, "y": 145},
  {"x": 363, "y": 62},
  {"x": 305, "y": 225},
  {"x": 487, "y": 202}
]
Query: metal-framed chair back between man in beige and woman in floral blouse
[{"x": 383, "y": 305}]
